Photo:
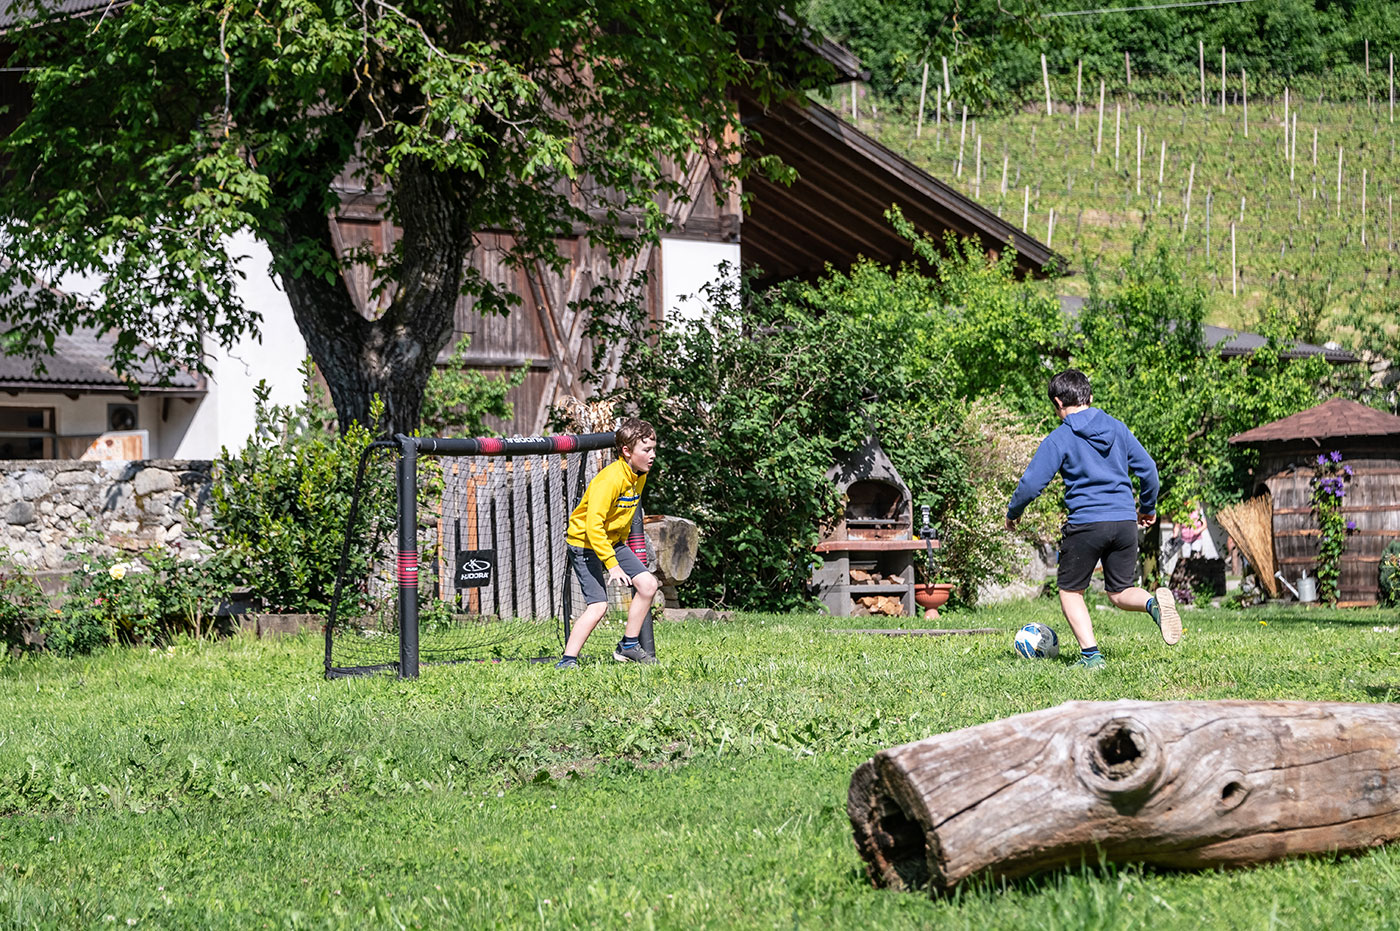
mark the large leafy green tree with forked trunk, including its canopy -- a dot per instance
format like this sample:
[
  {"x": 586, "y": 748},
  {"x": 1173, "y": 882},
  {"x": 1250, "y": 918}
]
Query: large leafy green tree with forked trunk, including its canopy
[{"x": 162, "y": 128}]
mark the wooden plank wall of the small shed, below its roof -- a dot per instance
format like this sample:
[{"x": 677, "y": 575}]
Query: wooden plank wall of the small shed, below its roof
[{"x": 1373, "y": 502}]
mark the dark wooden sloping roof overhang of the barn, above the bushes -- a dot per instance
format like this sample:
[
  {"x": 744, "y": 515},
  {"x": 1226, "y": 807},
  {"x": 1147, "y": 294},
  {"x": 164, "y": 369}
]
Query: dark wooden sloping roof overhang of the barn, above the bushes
[{"x": 835, "y": 211}]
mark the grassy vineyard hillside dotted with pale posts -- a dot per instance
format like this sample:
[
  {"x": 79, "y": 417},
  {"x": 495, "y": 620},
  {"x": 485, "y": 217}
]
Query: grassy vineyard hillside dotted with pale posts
[{"x": 1290, "y": 226}]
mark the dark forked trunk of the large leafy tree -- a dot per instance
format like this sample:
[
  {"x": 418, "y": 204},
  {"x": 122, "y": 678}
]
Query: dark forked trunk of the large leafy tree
[{"x": 393, "y": 356}]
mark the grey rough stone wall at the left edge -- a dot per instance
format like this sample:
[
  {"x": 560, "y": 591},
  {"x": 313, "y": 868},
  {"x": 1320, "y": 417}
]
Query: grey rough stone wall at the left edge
[{"x": 50, "y": 507}]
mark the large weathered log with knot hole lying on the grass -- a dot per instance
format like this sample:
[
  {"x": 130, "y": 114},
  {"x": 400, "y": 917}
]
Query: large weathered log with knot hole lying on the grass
[{"x": 1182, "y": 785}]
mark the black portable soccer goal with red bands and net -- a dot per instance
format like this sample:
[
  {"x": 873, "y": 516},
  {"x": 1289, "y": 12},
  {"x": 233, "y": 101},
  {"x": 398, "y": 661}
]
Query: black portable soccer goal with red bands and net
[{"x": 477, "y": 569}]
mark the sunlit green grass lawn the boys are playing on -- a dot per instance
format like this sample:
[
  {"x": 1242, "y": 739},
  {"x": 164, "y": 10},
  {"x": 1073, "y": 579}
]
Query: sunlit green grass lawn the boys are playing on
[{"x": 227, "y": 785}]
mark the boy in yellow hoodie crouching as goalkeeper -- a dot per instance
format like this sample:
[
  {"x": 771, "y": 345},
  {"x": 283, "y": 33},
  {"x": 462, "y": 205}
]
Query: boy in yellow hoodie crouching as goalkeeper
[{"x": 597, "y": 534}]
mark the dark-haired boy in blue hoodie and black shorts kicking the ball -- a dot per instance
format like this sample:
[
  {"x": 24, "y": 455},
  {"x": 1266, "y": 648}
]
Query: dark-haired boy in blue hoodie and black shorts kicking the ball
[{"x": 1098, "y": 458}]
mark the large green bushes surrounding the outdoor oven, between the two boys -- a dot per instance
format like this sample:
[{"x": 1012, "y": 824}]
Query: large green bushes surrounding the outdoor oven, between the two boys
[{"x": 754, "y": 405}]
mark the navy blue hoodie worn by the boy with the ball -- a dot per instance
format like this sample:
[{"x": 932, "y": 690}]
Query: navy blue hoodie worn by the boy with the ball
[{"x": 1098, "y": 458}]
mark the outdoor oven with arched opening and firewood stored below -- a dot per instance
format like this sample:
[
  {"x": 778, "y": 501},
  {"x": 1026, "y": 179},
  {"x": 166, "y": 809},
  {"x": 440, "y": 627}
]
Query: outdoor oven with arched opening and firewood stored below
[{"x": 869, "y": 555}]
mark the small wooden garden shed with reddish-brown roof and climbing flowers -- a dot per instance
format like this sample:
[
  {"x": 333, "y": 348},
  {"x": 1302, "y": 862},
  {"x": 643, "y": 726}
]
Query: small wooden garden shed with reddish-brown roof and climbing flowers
[{"x": 1370, "y": 443}]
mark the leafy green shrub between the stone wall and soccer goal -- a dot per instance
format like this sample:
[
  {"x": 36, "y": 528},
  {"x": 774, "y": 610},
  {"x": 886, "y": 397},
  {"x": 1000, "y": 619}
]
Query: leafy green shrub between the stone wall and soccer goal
[{"x": 279, "y": 507}]
